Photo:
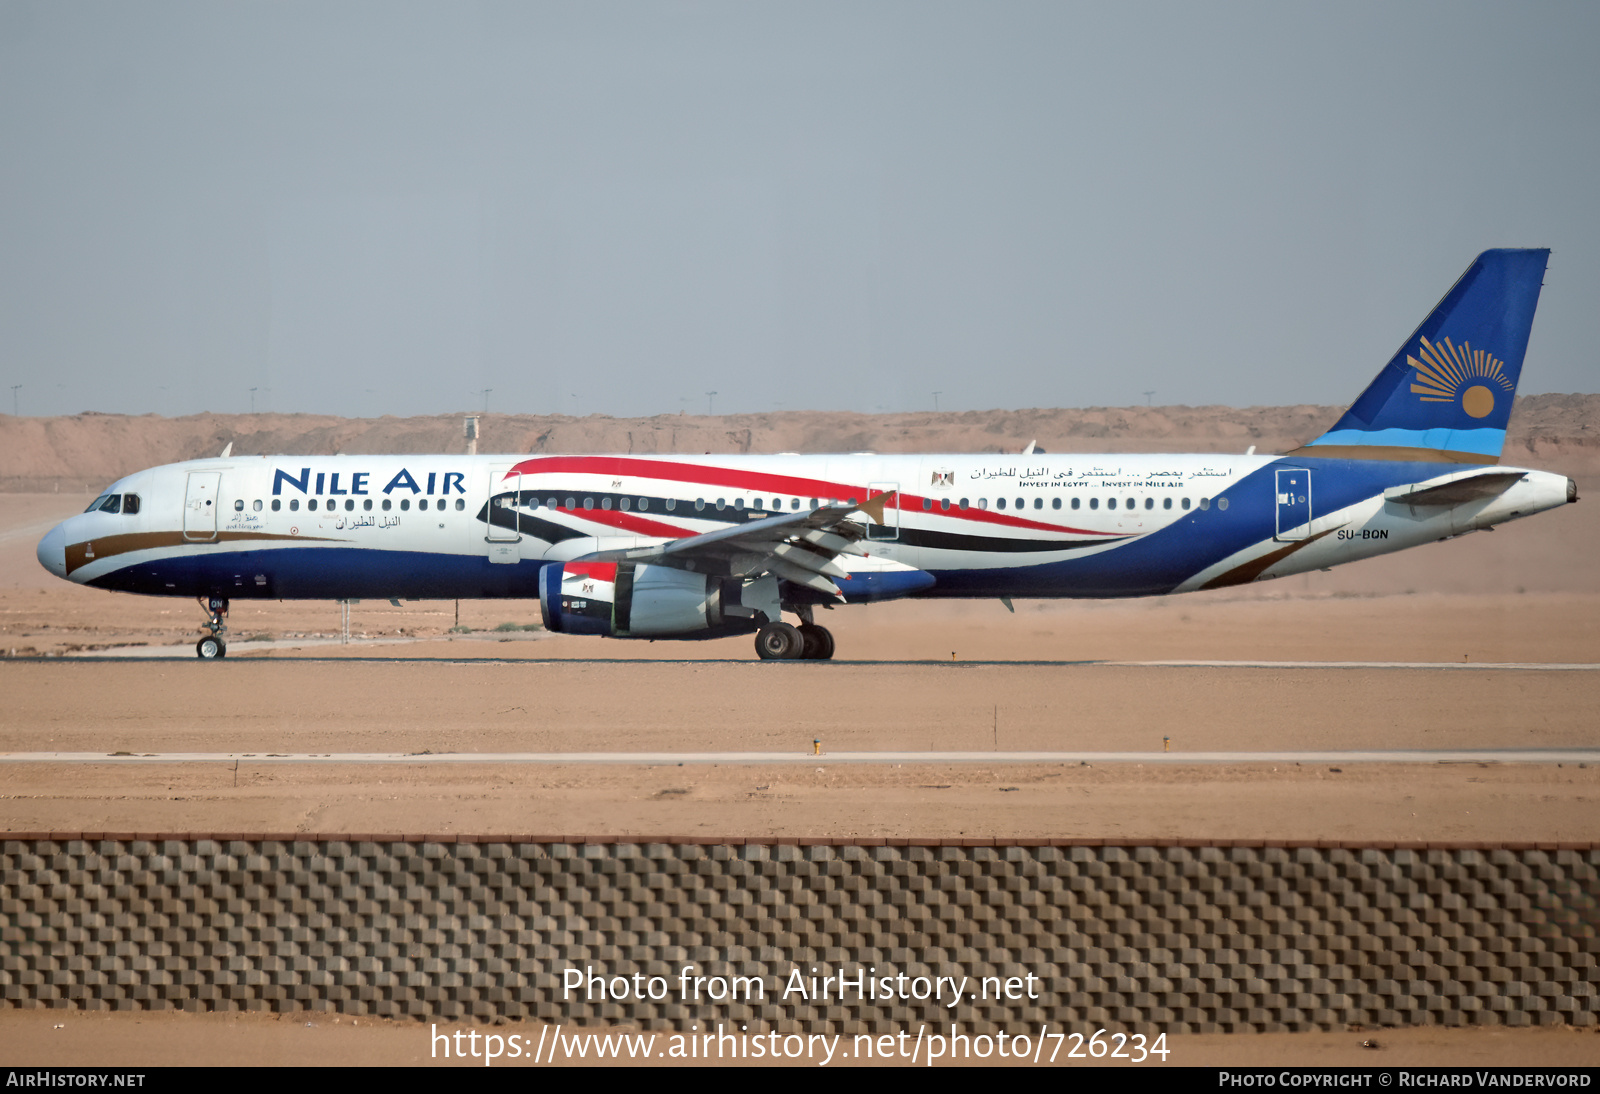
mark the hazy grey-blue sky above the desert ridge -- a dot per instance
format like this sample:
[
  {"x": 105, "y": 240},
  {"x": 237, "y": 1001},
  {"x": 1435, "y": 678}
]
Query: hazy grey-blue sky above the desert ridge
[{"x": 383, "y": 209}]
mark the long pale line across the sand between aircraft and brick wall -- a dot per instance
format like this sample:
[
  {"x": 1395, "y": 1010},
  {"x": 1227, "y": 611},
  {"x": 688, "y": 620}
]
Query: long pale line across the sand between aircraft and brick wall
[{"x": 684, "y": 759}]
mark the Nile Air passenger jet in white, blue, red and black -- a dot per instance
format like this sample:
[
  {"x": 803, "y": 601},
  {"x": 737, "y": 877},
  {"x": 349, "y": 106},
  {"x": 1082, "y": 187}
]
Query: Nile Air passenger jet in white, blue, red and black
[{"x": 703, "y": 548}]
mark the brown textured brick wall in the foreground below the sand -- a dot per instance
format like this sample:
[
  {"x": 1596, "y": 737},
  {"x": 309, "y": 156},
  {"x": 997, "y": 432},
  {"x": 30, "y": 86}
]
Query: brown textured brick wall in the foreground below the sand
[{"x": 1122, "y": 936}]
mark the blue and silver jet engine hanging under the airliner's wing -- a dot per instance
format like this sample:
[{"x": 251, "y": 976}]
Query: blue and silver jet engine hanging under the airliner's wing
[{"x": 628, "y": 601}]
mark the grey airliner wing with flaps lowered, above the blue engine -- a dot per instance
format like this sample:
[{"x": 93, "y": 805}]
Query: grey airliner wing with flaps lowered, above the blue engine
[{"x": 798, "y": 548}]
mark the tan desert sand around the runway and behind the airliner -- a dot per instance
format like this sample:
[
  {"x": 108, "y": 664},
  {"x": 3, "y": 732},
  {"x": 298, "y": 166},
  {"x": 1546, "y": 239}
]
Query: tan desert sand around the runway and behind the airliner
[{"x": 910, "y": 676}]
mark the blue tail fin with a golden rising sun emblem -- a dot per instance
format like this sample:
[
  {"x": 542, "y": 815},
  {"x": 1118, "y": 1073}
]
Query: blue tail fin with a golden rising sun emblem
[{"x": 1447, "y": 394}]
